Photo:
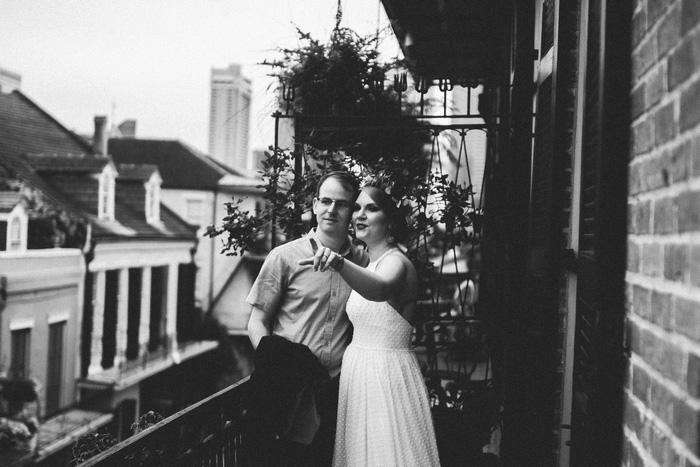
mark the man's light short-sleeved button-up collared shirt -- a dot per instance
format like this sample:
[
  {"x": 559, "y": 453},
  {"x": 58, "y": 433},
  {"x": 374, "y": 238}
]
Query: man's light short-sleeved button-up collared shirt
[{"x": 308, "y": 305}]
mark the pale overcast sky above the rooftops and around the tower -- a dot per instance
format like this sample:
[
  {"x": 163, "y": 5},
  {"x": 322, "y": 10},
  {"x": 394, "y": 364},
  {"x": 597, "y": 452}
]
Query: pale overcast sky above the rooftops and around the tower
[{"x": 150, "y": 60}]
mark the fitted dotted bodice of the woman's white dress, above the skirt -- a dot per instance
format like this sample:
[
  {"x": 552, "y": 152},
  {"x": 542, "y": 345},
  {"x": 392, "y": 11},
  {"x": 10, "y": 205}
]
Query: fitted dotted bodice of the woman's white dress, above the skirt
[{"x": 378, "y": 325}]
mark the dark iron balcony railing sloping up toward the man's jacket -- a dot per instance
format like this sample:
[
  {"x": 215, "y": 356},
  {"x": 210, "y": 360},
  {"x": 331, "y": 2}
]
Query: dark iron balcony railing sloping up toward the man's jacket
[{"x": 209, "y": 433}]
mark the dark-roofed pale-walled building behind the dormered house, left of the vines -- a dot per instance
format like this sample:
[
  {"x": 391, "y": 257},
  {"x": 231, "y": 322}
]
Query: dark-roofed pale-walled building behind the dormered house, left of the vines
[{"x": 196, "y": 187}]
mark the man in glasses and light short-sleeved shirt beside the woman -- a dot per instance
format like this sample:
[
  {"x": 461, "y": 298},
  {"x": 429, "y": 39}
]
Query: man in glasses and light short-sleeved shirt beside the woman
[{"x": 300, "y": 304}]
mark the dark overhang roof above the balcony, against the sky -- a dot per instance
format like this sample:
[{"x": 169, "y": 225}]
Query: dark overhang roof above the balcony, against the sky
[{"x": 455, "y": 39}]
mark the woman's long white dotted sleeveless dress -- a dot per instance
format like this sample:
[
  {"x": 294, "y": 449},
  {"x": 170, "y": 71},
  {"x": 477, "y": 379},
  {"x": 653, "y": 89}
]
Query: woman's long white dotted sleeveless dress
[{"x": 384, "y": 416}]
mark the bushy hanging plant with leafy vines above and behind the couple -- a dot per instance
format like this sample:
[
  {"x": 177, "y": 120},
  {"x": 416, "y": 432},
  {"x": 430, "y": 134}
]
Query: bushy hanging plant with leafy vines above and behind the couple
[{"x": 347, "y": 117}]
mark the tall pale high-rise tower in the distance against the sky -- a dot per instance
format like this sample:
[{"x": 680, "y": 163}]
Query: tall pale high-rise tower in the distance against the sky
[{"x": 229, "y": 117}]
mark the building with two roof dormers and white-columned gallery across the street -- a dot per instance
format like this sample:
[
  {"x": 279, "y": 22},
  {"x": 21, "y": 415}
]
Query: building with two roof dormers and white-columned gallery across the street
[{"x": 97, "y": 282}]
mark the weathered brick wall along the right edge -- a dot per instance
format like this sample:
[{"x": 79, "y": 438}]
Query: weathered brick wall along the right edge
[{"x": 662, "y": 418}]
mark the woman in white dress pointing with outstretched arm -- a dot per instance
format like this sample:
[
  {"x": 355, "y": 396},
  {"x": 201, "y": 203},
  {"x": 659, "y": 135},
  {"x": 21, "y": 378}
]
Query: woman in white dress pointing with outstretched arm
[{"x": 383, "y": 414}]
